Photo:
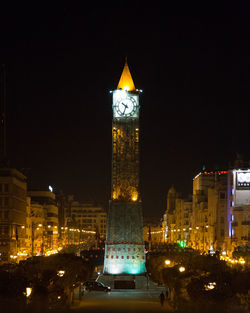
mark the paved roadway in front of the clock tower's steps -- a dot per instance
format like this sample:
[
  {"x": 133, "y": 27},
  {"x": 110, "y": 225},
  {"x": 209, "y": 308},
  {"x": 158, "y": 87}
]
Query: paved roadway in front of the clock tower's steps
[{"x": 121, "y": 301}]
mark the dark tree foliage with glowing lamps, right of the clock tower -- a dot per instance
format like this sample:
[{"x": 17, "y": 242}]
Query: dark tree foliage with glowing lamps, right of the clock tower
[{"x": 229, "y": 285}]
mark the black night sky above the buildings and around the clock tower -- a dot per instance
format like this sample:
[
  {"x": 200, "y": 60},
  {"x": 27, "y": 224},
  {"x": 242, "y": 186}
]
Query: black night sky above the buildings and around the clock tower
[{"x": 192, "y": 62}]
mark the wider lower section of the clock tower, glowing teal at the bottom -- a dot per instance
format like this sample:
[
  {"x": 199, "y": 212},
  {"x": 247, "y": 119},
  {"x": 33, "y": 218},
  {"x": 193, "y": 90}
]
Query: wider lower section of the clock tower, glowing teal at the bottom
[{"x": 124, "y": 248}]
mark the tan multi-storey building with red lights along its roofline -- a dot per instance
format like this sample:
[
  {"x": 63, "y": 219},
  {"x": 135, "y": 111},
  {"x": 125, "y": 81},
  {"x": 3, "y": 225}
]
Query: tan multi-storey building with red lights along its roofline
[{"x": 209, "y": 211}]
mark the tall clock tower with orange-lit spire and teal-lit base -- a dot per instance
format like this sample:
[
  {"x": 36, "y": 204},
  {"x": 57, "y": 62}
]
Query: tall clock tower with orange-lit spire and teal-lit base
[{"x": 124, "y": 249}]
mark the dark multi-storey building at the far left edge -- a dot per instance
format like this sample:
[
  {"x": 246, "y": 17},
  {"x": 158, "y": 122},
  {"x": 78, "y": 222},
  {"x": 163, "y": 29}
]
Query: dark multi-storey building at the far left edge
[{"x": 13, "y": 189}]
